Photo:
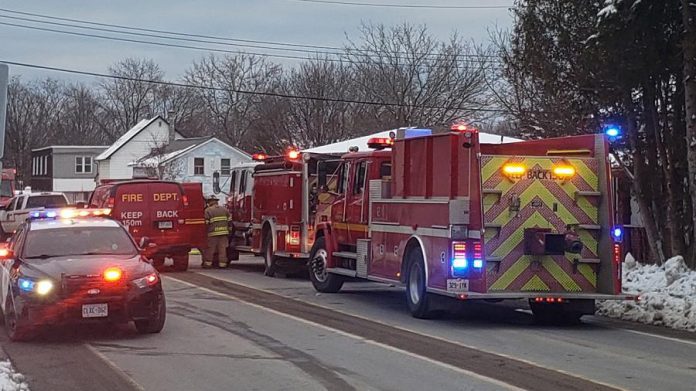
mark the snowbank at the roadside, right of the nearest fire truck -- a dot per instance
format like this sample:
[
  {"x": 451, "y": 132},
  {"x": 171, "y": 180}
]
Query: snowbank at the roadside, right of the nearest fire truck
[{"x": 667, "y": 295}]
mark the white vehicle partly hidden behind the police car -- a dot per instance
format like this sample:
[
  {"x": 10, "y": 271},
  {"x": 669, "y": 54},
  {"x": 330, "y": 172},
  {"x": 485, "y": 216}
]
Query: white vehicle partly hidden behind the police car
[{"x": 17, "y": 210}]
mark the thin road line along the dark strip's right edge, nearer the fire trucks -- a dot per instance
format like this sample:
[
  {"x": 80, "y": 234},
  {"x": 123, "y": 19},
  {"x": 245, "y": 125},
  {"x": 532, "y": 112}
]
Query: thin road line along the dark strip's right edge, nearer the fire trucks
[{"x": 504, "y": 355}]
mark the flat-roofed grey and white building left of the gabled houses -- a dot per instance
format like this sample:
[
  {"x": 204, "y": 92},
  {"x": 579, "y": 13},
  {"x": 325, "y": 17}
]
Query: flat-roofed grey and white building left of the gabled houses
[{"x": 70, "y": 169}]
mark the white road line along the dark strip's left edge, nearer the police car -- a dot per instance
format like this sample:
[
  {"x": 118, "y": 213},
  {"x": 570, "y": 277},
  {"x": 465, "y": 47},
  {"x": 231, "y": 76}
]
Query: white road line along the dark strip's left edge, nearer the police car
[{"x": 353, "y": 336}]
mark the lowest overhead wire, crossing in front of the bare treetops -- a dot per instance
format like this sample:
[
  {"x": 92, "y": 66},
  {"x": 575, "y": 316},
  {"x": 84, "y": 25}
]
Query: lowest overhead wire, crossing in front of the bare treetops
[{"x": 246, "y": 92}]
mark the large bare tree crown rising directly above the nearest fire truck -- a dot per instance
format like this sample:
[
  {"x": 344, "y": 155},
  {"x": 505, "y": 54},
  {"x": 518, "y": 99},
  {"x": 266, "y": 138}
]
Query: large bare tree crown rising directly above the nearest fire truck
[{"x": 418, "y": 79}]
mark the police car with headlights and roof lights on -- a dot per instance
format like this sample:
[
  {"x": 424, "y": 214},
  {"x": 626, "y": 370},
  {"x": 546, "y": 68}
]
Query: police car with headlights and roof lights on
[{"x": 74, "y": 266}]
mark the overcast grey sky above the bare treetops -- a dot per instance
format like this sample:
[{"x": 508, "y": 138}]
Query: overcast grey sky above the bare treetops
[{"x": 288, "y": 21}]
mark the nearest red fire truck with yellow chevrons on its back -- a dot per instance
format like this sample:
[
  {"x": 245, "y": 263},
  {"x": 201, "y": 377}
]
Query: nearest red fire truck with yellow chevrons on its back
[{"x": 445, "y": 215}]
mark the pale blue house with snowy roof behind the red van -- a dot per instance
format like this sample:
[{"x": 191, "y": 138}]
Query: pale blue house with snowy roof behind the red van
[{"x": 191, "y": 160}]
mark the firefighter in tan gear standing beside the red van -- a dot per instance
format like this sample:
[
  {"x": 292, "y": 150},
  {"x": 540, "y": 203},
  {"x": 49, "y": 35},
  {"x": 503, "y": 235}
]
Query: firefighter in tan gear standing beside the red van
[{"x": 216, "y": 219}]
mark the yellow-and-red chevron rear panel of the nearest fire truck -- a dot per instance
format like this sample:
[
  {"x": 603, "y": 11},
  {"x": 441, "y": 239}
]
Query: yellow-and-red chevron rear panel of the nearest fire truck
[{"x": 531, "y": 195}]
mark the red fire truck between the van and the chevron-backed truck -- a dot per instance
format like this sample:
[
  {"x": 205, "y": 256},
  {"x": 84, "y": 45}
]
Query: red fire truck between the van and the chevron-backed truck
[{"x": 273, "y": 203}]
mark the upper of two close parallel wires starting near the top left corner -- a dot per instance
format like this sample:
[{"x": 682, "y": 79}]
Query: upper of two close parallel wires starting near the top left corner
[{"x": 228, "y": 39}]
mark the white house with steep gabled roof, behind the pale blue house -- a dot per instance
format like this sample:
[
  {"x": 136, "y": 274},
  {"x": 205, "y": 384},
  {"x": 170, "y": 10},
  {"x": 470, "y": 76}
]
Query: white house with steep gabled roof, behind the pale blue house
[{"x": 139, "y": 141}]
